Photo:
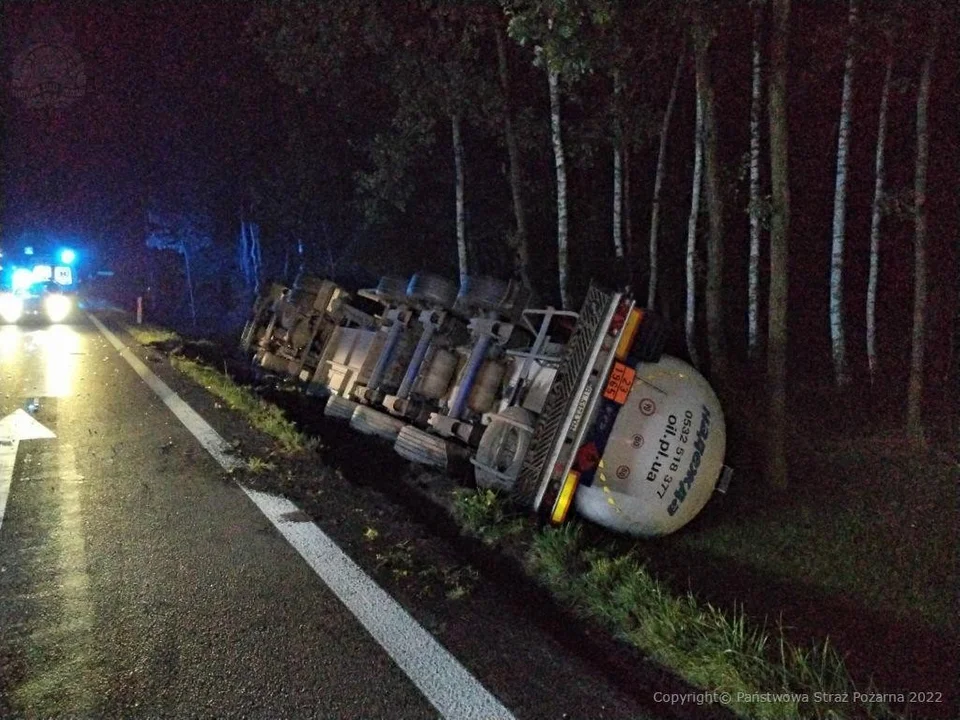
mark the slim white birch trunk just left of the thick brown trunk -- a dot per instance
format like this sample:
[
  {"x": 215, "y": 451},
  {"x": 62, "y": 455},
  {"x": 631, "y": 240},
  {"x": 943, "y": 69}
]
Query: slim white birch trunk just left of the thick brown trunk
[{"x": 753, "y": 278}]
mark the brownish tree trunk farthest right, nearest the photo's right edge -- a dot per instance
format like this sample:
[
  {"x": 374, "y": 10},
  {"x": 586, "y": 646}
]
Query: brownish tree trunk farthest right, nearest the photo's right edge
[{"x": 915, "y": 386}]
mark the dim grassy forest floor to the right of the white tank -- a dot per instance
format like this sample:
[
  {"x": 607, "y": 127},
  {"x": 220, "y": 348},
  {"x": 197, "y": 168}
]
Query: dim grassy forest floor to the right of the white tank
[{"x": 867, "y": 519}]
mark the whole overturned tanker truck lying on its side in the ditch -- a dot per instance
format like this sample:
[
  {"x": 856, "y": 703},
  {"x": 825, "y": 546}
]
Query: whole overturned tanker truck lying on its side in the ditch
[{"x": 562, "y": 410}]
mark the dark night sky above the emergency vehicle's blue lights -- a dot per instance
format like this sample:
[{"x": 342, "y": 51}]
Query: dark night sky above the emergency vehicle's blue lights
[{"x": 167, "y": 90}]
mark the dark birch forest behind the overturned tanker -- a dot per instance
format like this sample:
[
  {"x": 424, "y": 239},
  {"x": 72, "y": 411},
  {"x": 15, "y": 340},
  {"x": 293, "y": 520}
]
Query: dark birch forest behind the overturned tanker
[{"x": 353, "y": 138}]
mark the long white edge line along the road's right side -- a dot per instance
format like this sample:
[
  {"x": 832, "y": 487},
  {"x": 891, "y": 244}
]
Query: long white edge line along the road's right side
[{"x": 442, "y": 679}]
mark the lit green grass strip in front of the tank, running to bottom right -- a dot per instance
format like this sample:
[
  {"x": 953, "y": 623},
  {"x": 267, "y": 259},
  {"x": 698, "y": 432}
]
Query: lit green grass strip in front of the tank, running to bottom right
[{"x": 755, "y": 674}]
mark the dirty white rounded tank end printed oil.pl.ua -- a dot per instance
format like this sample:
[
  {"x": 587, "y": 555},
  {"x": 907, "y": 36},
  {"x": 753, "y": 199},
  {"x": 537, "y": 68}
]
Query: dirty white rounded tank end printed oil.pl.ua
[{"x": 663, "y": 455}]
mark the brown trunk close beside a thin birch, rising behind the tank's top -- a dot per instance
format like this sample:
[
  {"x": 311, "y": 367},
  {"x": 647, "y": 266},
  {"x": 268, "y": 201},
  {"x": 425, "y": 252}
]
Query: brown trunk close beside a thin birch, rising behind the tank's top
[{"x": 713, "y": 297}]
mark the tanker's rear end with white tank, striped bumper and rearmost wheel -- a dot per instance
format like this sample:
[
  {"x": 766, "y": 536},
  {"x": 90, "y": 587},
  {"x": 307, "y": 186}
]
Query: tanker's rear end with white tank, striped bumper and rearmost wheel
[{"x": 633, "y": 439}]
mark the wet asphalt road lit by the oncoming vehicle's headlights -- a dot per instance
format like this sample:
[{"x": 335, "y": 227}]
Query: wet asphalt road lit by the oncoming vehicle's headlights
[{"x": 138, "y": 580}]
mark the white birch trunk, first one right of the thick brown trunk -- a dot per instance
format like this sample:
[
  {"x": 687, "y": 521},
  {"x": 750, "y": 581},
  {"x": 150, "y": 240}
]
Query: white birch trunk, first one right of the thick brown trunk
[{"x": 837, "y": 330}]
